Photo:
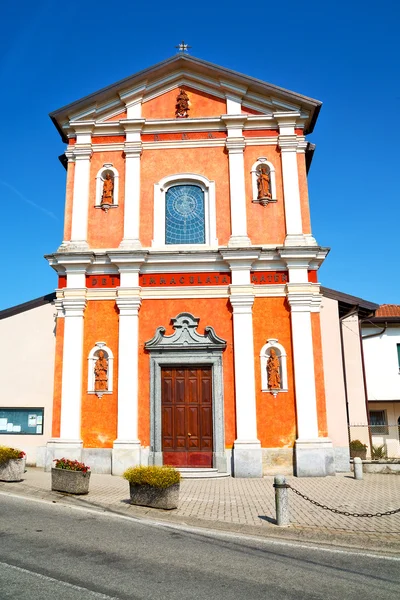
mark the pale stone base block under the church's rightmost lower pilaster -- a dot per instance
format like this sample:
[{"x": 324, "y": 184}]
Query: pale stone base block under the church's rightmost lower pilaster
[{"x": 314, "y": 458}]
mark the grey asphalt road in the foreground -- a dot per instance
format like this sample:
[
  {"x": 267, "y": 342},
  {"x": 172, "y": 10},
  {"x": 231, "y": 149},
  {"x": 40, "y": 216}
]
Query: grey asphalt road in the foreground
[{"x": 52, "y": 552}]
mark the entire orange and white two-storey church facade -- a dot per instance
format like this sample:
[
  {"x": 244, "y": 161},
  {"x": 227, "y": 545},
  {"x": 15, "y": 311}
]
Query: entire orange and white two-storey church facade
[{"x": 188, "y": 326}]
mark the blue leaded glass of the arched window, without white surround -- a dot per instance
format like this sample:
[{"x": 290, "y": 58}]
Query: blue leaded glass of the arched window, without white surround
[{"x": 184, "y": 215}]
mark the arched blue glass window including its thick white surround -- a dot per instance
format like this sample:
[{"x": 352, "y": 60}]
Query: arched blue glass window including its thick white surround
[{"x": 184, "y": 211}]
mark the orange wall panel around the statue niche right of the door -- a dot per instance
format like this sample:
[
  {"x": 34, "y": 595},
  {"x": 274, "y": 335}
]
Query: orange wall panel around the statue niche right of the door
[{"x": 276, "y": 417}]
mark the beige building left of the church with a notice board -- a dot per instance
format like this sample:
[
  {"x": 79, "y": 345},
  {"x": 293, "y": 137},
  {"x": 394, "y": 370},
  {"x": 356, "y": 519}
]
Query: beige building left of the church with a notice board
[{"x": 27, "y": 332}]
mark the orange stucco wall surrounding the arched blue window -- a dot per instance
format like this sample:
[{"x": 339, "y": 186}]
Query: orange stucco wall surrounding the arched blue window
[{"x": 210, "y": 162}]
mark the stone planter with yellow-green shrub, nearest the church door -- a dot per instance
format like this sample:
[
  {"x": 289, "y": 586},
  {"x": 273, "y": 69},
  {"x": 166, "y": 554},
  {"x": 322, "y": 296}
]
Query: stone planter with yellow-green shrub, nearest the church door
[{"x": 157, "y": 487}]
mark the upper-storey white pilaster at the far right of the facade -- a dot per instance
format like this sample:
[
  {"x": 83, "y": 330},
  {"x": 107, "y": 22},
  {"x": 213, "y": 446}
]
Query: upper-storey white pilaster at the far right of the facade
[{"x": 288, "y": 144}]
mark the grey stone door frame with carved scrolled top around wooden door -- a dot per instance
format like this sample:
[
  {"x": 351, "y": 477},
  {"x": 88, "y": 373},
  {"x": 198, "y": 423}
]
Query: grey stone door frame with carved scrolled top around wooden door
[{"x": 185, "y": 348}]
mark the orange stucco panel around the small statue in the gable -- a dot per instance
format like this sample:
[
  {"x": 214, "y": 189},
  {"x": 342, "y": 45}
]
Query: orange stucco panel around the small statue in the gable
[{"x": 200, "y": 105}]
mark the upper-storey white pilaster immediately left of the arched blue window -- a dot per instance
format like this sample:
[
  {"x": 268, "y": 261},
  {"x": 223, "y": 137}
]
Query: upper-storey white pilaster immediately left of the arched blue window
[{"x": 133, "y": 151}]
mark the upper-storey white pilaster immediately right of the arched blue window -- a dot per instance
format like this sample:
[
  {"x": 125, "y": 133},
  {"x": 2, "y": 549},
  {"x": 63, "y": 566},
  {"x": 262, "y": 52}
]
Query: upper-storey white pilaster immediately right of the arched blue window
[{"x": 235, "y": 144}]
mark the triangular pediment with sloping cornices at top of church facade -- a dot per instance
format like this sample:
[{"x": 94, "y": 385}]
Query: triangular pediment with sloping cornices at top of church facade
[{"x": 209, "y": 88}]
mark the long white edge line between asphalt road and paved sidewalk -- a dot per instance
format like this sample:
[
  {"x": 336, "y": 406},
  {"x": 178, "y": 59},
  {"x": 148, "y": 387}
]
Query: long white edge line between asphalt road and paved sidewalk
[{"x": 104, "y": 512}]
